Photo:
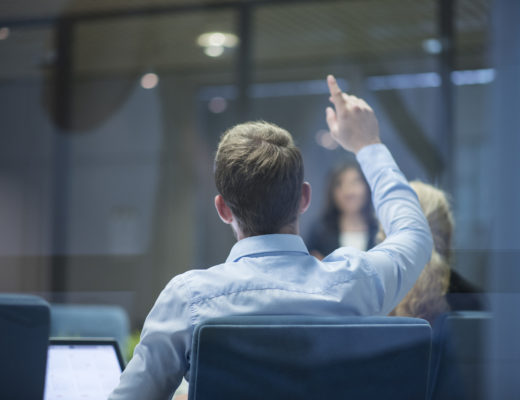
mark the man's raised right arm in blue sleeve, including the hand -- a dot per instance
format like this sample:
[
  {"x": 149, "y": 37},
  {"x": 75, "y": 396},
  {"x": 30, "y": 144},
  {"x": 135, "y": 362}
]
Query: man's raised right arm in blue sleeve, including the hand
[{"x": 399, "y": 260}]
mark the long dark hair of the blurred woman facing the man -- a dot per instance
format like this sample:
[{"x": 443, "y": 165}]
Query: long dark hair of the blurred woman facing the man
[{"x": 331, "y": 212}]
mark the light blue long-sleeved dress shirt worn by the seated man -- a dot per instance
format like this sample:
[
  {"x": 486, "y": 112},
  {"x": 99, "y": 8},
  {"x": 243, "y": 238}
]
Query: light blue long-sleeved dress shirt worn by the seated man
[{"x": 274, "y": 274}]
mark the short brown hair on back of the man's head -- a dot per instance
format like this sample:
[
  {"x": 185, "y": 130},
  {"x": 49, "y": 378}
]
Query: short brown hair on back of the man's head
[{"x": 259, "y": 173}]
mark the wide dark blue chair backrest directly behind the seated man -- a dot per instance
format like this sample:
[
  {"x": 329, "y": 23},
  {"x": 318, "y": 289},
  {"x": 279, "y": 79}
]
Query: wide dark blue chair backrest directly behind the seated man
[{"x": 300, "y": 357}]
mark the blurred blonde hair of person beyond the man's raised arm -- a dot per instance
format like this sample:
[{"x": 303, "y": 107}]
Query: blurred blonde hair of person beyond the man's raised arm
[{"x": 427, "y": 298}]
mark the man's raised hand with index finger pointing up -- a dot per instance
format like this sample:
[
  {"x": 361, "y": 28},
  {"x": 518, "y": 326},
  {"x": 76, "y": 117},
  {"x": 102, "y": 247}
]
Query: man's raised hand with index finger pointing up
[{"x": 353, "y": 124}]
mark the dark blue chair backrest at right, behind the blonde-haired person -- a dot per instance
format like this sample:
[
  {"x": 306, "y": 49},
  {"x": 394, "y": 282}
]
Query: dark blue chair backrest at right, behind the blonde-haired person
[{"x": 459, "y": 356}]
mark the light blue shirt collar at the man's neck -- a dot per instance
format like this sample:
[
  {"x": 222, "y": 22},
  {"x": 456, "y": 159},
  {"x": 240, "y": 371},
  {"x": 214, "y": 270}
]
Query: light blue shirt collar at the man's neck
[{"x": 256, "y": 245}]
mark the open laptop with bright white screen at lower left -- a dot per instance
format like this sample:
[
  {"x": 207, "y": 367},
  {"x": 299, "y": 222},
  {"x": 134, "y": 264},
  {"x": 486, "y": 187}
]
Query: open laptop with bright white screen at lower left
[{"x": 86, "y": 369}]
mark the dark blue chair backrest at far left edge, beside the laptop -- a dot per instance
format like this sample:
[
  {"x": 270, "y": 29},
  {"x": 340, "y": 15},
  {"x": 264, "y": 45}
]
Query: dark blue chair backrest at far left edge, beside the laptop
[{"x": 24, "y": 337}]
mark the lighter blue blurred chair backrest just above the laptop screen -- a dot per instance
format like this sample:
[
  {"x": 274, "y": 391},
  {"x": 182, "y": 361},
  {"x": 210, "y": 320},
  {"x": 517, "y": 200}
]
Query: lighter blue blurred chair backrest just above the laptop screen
[{"x": 74, "y": 320}]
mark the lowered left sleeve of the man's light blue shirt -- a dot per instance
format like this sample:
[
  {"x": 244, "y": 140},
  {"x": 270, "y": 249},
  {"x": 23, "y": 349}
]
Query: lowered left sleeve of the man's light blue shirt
[{"x": 160, "y": 359}]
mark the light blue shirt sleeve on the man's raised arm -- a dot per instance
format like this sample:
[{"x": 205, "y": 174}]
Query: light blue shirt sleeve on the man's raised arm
[{"x": 400, "y": 258}]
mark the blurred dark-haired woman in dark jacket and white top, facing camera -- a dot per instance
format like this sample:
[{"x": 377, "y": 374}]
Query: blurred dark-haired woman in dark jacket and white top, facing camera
[{"x": 348, "y": 218}]
